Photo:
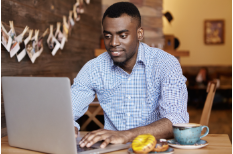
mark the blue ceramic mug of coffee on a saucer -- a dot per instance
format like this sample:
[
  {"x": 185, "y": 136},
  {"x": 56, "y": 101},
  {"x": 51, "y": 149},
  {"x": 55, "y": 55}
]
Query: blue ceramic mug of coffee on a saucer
[{"x": 188, "y": 133}]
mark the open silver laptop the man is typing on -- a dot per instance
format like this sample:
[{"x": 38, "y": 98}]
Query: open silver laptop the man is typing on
[{"x": 39, "y": 116}]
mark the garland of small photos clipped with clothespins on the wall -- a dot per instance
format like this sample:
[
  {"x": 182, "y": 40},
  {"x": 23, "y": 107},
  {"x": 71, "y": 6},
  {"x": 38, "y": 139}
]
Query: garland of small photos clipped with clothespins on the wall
[{"x": 33, "y": 46}]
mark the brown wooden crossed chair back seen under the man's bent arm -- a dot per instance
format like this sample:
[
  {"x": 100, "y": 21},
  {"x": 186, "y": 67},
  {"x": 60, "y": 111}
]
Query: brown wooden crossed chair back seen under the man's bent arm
[{"x": 93, "y": 110}]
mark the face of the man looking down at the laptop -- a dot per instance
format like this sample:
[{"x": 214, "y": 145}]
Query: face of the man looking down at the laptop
[{"x": 121, "y": 39}]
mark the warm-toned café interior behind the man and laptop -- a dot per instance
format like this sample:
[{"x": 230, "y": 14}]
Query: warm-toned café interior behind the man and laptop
[{"x": 197, "y": 32}]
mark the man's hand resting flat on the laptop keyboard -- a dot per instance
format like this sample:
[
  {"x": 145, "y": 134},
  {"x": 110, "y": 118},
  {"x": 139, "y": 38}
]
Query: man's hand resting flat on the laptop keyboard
[{"x": 109, "y": 136}]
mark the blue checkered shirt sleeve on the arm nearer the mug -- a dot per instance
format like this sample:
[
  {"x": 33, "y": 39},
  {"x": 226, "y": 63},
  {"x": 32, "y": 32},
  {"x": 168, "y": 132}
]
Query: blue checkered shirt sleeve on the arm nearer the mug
[{"x": 174, "y": 95}]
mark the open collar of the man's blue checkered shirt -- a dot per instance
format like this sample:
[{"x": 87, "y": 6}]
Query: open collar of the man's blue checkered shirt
[{"x": 140, "y": 56}]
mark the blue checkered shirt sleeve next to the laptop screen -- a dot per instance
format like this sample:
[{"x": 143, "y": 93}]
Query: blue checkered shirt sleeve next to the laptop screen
[{"x": 82, "y": 93}]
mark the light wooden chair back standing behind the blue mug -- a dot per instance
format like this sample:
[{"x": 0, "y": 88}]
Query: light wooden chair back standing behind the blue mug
[{"x": 211, "y": 89}]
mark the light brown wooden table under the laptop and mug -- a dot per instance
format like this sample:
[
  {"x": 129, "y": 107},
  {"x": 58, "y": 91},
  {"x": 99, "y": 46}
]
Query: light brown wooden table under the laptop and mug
[{"x": 218, "y": 144}]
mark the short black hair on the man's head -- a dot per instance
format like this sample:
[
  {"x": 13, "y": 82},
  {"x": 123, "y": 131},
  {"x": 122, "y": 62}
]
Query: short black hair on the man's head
[{"x": 117, "y": 9}]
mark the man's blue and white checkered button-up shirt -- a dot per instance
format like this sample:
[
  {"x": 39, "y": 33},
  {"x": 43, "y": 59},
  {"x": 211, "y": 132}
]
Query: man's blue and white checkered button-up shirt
[{"x": 154, "y": 89}]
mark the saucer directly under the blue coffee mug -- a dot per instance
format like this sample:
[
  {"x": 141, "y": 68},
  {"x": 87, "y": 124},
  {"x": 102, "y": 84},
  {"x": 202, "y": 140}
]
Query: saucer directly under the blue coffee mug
[{"x": 199, "y": 144}]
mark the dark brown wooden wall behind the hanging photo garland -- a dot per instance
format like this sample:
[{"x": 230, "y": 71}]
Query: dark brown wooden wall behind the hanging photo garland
[{"x": 39, "y": 14}]
